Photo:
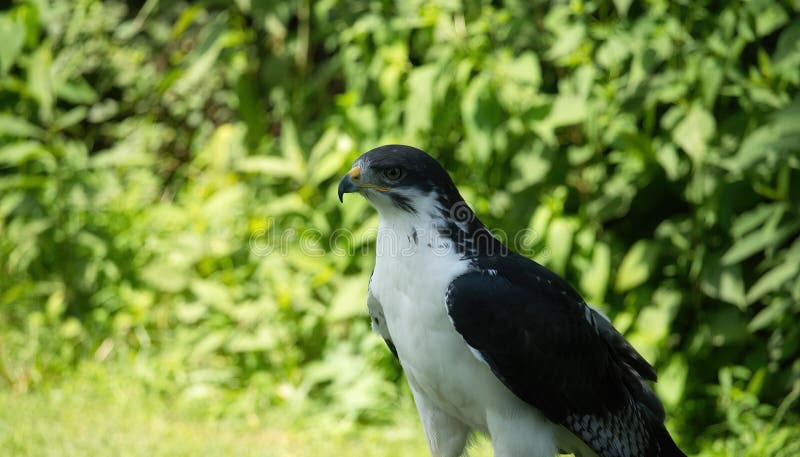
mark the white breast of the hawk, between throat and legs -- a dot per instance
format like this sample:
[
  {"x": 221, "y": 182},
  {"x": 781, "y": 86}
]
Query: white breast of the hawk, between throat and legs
[{"x": 410, "y": 282}]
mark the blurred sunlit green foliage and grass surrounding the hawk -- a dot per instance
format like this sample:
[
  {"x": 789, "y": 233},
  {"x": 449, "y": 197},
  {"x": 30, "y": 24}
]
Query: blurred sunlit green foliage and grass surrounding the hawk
[{"x": 174, "y": 278}]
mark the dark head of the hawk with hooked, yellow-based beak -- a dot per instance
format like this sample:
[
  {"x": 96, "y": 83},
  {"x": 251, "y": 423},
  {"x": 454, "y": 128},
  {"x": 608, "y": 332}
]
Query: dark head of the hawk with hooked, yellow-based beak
[{"x": 398, "y": 177}]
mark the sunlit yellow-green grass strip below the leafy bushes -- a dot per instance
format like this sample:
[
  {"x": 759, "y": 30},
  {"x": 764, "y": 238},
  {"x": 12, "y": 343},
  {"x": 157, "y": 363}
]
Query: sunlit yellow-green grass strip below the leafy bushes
[{"x": 99, "y": 413}]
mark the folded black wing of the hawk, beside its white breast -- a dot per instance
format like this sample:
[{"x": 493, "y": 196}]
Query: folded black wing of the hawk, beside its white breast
[{"x": 557, "y": 354}]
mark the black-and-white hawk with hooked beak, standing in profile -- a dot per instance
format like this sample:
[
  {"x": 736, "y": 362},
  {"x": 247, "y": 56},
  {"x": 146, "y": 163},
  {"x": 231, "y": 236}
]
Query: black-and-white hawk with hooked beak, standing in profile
[{"x": 490, "y": 340}]
